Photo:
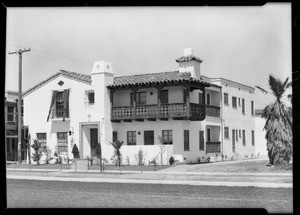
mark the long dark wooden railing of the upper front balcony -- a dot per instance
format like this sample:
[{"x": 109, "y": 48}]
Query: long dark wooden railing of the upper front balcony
[{"x": 175, "y": 110}]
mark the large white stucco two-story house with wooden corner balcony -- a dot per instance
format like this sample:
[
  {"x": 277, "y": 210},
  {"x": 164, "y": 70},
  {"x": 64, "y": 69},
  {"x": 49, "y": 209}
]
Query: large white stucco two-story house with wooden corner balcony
[{"x": 183, "y": 107}]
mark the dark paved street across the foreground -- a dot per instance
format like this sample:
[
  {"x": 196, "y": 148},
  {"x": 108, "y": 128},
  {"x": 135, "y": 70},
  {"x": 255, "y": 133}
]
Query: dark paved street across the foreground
[{"x": 94, "y": 195}]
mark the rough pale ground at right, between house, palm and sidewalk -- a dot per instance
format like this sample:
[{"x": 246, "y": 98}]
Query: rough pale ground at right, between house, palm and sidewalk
[{"x": 259, "y": 166}]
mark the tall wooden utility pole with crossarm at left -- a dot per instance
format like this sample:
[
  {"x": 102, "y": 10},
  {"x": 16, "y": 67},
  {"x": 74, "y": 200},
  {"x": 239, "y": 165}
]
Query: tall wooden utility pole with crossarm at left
[{"x": 20, "y": 102}]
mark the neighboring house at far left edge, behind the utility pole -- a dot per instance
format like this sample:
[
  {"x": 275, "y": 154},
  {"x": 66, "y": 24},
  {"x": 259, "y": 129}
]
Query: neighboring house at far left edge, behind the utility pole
[{"x": 11, "y": 127}]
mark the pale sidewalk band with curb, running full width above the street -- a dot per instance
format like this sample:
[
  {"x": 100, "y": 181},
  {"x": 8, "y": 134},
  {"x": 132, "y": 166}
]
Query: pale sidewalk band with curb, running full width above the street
[{"x": 158, "y": 177}]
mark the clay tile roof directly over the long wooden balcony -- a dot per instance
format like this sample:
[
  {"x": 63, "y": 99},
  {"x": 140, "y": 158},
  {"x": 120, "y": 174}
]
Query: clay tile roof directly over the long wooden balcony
[{"x": 154, "y": 79}]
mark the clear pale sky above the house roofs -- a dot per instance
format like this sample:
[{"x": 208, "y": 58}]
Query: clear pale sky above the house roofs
[{"x": 243, "y": 44}]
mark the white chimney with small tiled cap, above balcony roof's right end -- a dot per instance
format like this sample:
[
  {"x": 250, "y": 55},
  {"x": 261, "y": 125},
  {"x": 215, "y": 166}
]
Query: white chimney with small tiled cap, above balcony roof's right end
[{"x": 189, "y": 63}]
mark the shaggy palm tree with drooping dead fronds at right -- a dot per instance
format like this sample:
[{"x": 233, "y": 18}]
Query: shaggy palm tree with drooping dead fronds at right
[{"x": 278, "y": 126}]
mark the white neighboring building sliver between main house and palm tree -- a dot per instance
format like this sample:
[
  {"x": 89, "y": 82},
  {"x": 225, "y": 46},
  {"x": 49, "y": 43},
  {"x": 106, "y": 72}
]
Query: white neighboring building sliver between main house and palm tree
[{"x": 261, "y": 142}]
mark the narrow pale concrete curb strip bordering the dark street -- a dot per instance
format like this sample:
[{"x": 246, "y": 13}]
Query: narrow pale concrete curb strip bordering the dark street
[{"x": 141, "y": 181}]
